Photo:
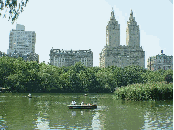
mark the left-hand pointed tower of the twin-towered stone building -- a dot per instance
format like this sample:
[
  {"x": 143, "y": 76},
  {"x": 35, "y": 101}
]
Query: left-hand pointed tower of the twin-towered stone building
[{"x": 113, "y": 32}]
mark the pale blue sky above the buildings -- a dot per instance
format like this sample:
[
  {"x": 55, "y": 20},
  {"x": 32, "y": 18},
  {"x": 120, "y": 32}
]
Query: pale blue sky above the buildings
[{"x": 81, "y": 25}]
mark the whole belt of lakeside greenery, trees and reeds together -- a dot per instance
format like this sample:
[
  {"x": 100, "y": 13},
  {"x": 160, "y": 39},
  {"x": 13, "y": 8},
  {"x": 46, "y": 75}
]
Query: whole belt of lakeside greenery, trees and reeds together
[{"x": 129, "y": 83}]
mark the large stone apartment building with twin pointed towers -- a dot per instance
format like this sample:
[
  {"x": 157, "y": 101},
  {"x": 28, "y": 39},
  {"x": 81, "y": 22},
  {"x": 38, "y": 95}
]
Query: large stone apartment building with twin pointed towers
[{"x": 114, "y": 54}]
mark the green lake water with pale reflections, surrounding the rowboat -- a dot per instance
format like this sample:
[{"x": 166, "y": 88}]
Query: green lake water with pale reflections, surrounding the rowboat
[{"x": 50, "y": 111}]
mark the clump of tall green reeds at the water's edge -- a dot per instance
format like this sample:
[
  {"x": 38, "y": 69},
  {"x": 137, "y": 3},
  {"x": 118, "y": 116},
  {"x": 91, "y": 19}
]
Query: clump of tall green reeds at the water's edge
[{"x": 148, "y": 91}]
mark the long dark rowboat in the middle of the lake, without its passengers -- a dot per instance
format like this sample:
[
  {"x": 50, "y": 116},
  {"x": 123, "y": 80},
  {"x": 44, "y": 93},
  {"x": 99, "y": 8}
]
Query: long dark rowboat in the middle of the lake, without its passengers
[{"x": 88, "y": 106}]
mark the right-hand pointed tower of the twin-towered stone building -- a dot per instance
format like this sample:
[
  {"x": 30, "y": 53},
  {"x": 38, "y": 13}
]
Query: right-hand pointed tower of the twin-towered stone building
[{"x": 132, "y": 32}]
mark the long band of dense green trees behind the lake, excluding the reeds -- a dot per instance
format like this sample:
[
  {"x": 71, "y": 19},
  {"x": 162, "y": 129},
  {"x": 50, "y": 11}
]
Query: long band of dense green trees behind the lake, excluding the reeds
[{"x": 21, "y": 76}]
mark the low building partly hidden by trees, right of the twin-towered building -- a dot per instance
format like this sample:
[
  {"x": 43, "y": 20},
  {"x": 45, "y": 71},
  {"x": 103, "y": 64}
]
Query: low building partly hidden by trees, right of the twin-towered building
[{"x": 160, "y": 62}]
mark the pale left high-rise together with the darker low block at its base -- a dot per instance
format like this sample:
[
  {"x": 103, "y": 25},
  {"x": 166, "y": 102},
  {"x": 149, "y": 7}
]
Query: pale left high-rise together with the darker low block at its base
[{"x": 22, "y": 44}]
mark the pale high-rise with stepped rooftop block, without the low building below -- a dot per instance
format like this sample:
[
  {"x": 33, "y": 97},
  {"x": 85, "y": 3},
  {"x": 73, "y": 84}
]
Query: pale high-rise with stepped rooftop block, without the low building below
[{"x": 21, "y": 41}]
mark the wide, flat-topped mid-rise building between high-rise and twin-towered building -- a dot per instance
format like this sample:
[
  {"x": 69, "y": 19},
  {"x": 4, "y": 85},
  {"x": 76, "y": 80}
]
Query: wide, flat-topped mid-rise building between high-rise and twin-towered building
[{"x": 62, "y": 57}]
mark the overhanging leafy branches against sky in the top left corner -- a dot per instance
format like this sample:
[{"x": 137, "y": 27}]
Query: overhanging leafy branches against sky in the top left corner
[{"x": 11, "y": 8}]
